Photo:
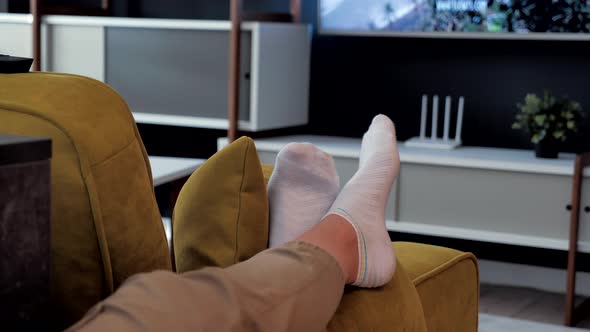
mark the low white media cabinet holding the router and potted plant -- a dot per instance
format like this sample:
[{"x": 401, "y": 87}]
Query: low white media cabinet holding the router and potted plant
[{"x": 481, "y": 194}]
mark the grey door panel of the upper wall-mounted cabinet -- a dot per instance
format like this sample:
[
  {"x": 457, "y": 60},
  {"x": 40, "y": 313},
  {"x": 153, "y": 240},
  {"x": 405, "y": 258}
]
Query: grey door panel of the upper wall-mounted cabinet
[{"x": 175, "y": 72}]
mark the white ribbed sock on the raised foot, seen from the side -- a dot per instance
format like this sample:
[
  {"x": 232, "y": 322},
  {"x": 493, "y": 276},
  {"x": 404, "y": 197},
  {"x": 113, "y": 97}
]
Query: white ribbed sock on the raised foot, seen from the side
[{"x": 363, "y": 200}]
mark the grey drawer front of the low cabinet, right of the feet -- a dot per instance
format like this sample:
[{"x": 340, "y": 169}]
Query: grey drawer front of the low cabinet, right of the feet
[{"x": 509, "y": 202}]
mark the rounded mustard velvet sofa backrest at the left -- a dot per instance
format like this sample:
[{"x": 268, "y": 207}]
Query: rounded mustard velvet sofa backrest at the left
[{"x": 105, "y": 223}]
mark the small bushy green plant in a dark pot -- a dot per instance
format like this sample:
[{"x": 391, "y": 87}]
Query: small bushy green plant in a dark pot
[{"x": 549, "y": 121}]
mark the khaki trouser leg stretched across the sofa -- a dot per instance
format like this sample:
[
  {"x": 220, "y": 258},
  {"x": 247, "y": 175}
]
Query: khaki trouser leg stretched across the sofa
[{"x": 293, "y": 288}]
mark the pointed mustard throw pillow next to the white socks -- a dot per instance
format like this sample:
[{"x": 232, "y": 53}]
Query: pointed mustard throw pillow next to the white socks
[{"x": 221, "y": 215}]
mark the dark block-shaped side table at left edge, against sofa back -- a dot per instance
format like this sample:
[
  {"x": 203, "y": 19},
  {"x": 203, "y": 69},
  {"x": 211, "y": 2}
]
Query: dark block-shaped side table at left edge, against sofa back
[{"x": 24, "y": 232}]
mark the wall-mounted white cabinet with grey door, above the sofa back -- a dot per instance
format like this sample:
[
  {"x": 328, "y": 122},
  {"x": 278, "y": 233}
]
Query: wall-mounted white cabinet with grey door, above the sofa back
[{"x": 175, "y": 72}]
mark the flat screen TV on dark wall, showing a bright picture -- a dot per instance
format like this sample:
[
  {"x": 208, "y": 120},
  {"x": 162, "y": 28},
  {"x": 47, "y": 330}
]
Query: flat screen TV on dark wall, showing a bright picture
[{"x": 544, "y": 19}]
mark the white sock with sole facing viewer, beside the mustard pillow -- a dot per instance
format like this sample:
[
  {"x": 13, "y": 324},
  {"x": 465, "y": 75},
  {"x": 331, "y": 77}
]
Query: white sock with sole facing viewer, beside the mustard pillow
[{"x": 303, "y": 186}]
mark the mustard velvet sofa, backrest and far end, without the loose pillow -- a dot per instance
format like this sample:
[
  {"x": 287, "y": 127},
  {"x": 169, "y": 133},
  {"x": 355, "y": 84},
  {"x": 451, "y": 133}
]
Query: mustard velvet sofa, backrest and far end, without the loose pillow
[{"x": 106, "y": 225}]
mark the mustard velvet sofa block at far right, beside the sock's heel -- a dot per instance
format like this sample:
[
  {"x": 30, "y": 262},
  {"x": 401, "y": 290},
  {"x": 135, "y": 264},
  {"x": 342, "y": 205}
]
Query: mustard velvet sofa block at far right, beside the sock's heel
[{"x": 447, "y": 281}]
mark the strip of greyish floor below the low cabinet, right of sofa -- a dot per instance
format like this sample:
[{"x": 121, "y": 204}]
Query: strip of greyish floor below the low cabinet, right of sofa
[{"x": 525, "y": 303}]
